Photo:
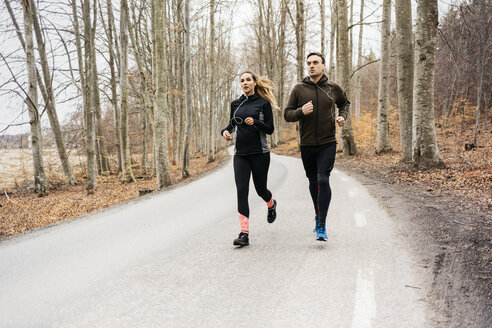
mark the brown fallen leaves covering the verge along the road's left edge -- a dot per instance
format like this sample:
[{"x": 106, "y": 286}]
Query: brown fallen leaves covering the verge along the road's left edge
[{"x": 23, "y": 210}]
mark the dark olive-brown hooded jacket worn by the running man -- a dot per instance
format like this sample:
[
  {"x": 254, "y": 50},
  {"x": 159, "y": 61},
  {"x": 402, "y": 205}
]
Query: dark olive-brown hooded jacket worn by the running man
[{"x": 317, "y": 128}]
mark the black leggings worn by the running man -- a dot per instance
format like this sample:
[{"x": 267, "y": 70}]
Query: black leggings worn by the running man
[{"x": 318, "y": 162}]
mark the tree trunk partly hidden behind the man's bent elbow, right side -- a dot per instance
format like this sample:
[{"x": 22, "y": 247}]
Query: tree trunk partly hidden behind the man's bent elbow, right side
[{"x": 348, "y": 139}]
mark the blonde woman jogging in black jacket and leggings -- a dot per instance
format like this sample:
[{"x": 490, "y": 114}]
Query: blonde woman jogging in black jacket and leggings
[{"x": 251, "y": 118}]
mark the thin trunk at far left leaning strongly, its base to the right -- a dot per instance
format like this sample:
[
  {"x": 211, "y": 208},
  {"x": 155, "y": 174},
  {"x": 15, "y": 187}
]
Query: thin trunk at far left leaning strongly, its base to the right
[{"x": 50, "y": 99}]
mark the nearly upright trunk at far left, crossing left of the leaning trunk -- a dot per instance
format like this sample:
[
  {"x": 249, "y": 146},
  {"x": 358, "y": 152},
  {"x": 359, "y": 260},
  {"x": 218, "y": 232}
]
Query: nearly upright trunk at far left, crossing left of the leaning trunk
[{"x": 40, "y": 184}]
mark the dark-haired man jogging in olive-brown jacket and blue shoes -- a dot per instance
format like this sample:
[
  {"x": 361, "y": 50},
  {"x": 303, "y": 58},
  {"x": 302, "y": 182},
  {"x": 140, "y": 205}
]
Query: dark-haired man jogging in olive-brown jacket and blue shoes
[{"x": 312, "y": 103}]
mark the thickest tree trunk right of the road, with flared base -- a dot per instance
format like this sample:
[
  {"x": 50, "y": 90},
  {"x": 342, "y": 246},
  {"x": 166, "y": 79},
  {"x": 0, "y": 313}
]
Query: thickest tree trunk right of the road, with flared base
[{"x": 424, "y": 145}]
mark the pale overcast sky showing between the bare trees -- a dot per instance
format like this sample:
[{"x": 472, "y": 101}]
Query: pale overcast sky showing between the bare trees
[{"x": 11, "y": 105}]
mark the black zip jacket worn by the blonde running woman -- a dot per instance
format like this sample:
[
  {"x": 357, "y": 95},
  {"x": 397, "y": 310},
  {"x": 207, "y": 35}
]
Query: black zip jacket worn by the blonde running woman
[{"x": 250, "y": 139}]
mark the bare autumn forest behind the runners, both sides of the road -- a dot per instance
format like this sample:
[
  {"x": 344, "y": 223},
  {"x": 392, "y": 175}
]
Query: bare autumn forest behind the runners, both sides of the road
[{"x": 145, "y": 86}]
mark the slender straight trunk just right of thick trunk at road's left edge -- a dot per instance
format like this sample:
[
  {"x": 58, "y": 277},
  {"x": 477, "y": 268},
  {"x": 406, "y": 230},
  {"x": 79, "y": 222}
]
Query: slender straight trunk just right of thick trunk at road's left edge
[{"x": 185, "y": 163}]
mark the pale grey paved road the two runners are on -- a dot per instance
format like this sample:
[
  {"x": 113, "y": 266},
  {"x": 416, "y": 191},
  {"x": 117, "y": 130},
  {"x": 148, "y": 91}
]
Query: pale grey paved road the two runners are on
[{"x": 168, "y": 261}]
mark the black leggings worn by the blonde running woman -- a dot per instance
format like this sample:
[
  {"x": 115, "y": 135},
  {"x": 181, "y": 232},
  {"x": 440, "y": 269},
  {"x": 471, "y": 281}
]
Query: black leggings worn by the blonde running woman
[{"x": 258, "y": 165}]
